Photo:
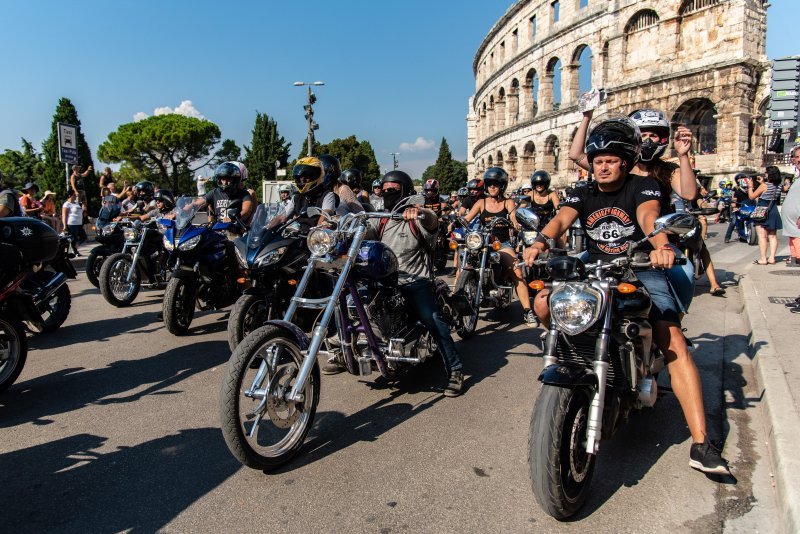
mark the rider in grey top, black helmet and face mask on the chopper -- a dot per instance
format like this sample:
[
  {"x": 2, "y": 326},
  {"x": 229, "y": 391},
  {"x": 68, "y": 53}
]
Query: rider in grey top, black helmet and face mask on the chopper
[{"x": 412, "y": 240}]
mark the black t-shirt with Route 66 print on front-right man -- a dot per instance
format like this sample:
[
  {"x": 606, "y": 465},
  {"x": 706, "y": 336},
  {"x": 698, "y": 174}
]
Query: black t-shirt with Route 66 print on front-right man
[{"x": 609, "y": 219}]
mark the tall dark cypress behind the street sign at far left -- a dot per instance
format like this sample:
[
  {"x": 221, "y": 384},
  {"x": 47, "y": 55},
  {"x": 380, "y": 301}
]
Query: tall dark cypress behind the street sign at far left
[{"x": 53, "y": 173}]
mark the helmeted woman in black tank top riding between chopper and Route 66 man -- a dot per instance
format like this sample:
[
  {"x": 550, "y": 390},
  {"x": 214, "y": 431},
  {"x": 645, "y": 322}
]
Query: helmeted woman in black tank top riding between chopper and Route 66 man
[{"x": 496, "y": 205}]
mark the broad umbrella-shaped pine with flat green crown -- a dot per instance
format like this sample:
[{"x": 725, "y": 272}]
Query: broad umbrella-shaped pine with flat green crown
[{"x": 168, "y": 146}]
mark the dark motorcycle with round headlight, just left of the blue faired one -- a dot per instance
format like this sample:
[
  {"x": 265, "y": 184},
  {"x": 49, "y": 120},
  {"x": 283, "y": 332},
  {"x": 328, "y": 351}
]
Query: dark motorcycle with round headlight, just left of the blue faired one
[{"x": 143, "y": 262}]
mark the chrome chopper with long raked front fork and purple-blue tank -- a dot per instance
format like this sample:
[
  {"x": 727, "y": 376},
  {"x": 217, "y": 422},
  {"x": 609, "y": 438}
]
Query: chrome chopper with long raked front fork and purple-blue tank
[{"x": 271, "y": 387}]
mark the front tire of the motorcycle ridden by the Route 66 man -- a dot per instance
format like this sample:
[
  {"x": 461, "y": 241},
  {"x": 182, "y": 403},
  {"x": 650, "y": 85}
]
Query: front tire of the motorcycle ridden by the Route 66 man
[{"x": 560, "y": 468}]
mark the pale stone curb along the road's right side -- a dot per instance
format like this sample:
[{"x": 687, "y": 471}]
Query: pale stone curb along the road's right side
[{"x": 781, "y": 420}]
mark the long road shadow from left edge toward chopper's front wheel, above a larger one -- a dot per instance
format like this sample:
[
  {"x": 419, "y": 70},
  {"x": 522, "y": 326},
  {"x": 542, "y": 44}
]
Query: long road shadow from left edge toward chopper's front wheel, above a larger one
[{"x": 34, "y": 400}]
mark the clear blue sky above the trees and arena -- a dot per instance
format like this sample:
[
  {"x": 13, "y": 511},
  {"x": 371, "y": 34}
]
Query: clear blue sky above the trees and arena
[{"x": 398, "y": 74}]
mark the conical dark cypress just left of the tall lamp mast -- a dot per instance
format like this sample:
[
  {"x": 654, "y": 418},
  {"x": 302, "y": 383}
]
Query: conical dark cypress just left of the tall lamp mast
[{"x": 266, "y": 148}]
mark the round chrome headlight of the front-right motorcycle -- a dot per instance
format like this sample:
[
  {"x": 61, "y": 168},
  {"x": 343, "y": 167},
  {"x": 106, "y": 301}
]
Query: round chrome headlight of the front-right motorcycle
[{"x": 575, "y": 307}]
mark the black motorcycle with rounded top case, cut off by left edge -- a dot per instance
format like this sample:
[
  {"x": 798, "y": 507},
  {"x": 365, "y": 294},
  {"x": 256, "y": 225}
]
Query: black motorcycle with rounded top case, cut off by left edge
[{"x": 32, "y": 291}]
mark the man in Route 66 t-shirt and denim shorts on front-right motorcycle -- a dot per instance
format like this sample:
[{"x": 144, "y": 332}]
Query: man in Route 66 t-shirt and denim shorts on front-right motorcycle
[{"x": 616, "y": 209}]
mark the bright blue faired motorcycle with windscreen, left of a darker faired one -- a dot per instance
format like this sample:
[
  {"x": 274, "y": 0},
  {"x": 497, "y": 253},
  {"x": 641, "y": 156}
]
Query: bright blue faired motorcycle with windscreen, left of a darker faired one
[{"x": 204, "y": 273}]
